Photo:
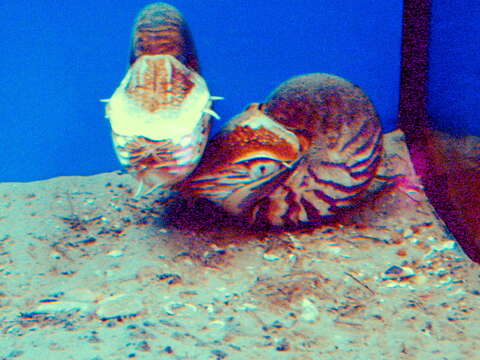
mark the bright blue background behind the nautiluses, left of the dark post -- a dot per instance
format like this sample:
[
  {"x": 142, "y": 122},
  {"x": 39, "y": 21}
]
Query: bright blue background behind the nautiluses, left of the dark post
[{"x": 60, "y": 58}]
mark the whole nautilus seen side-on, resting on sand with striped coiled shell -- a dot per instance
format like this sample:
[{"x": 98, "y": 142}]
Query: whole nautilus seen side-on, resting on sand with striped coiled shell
[{"x": 310, "y": 150}]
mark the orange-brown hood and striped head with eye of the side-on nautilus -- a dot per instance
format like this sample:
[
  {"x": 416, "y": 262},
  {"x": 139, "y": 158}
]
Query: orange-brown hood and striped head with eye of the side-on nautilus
[{"x": 249, "y": 153}]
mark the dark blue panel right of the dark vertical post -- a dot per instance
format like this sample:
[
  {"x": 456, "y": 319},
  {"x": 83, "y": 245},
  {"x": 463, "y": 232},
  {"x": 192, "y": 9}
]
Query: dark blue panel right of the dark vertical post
[{"x": 454, "y": 67}]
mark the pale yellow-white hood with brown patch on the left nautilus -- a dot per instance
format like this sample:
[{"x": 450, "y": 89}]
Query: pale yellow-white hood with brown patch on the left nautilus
[{"x": 176, "y": 114}]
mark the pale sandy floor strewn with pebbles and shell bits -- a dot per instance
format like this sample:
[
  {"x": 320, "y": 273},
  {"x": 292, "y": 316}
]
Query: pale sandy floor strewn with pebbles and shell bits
[{"x": 89, "y": 273}]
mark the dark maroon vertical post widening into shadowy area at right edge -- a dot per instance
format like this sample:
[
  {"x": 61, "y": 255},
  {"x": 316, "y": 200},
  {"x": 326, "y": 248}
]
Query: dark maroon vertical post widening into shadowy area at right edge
[{"x": 450, "y": 180}]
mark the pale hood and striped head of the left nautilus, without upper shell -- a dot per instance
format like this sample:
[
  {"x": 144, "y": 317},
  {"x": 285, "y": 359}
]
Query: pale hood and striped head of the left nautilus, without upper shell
[{"x": 160, "y": 119}]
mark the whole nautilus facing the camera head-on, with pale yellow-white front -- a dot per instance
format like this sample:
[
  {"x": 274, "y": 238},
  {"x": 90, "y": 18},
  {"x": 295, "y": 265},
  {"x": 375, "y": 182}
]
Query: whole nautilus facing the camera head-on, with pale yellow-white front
[{"x": 160, "y": 113}]
